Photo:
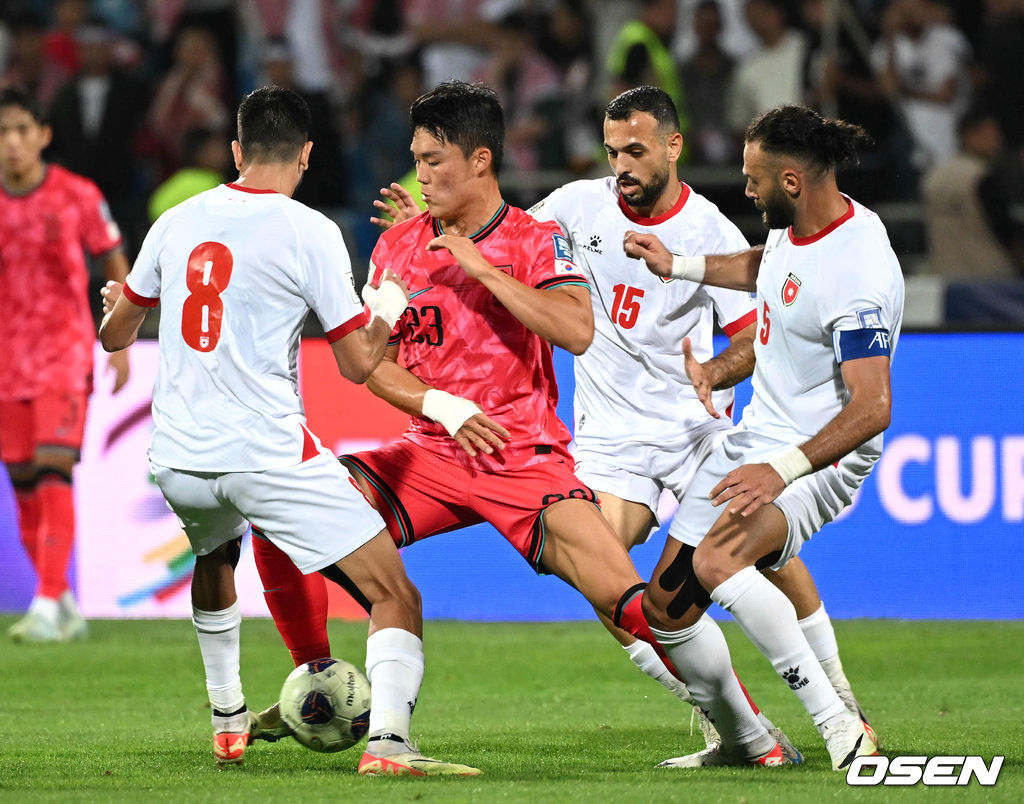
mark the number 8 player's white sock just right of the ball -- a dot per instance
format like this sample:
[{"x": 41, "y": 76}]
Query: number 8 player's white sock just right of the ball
[{"x": 395, "y": 667}]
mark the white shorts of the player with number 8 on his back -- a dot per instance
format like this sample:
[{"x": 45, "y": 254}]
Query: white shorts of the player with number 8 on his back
[{"x": 312, "y": 511}]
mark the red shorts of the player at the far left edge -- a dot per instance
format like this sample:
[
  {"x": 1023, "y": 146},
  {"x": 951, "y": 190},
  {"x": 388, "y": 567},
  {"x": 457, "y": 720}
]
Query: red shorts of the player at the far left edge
[{"x": 53, "y": 419}]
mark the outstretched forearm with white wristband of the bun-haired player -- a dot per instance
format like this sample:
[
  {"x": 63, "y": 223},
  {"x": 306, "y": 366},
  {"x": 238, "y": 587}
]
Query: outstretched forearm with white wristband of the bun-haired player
[{"x": 736, "y": 272}]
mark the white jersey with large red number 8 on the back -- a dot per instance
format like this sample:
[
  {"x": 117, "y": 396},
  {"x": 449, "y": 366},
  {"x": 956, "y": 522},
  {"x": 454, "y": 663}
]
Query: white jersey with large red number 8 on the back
[{"x": 237, "y": 272}]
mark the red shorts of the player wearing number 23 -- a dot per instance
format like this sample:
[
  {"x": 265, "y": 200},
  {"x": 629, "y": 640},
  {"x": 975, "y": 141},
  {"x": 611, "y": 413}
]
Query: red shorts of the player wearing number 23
[{"x": 419, "y": 495}]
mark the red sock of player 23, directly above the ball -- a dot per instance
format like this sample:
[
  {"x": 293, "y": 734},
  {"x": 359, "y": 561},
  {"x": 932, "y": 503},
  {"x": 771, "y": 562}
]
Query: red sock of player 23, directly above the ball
[{"x": 297, "y": 603}]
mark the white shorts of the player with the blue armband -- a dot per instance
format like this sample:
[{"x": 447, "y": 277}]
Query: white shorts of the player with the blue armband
[{"x": 808, "y": 503}]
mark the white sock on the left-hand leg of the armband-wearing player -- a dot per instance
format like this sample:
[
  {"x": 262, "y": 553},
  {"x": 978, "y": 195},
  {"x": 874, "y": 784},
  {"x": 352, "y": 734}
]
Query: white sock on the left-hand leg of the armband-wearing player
[{"x": 701, "y": 654}]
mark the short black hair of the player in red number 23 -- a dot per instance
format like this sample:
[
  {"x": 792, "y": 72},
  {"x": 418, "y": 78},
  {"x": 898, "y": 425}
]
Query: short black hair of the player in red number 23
[{"x": 465, "y": 115}]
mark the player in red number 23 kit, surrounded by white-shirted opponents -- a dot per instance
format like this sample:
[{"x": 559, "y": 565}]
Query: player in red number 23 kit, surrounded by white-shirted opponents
[{"x": 491, "y": 289}]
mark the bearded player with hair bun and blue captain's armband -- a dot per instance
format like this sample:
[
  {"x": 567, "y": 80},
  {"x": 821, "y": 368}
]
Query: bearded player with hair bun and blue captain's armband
[{"x": 830, "y": 295}]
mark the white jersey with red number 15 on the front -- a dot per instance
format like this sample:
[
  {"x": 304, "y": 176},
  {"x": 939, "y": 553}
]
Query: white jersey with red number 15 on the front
[{"x": 631, "y": 385}]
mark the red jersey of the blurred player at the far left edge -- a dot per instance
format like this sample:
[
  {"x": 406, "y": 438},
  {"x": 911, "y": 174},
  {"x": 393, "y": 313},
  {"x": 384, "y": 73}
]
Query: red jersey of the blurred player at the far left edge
[{"x": 48, "y": 333}]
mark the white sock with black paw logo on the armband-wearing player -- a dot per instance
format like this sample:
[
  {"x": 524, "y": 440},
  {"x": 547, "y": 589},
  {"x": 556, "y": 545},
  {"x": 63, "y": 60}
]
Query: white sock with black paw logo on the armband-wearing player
[{"x": 770, "y": 621}]
